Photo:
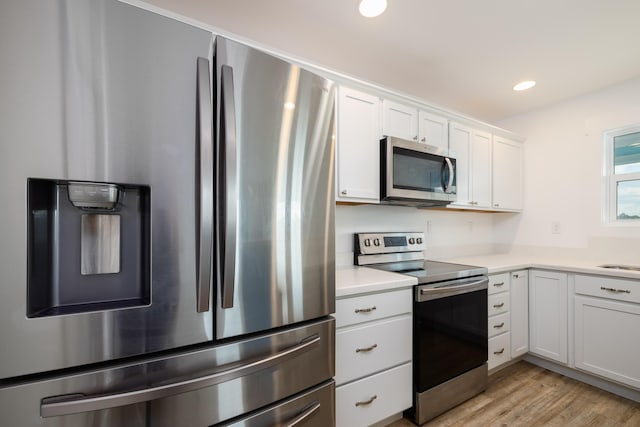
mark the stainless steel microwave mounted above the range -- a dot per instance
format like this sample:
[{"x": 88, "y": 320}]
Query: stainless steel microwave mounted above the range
[{"x": 416, "y": 174}]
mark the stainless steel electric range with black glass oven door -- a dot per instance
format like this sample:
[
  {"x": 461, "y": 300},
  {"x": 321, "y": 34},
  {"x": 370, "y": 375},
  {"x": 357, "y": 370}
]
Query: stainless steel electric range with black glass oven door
[{"x": 450, "y": 336}]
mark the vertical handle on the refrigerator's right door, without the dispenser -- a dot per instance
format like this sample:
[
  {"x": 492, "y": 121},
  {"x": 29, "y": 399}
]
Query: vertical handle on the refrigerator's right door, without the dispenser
[{"x": 228, "y": 187}]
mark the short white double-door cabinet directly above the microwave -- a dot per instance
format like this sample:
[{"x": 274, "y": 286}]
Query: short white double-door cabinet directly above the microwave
[{"x": 403, "y": 121}]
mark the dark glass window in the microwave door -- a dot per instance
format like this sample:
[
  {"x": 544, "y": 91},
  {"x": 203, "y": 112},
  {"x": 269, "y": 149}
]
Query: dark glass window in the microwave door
[{"x": 416, "y": 171}]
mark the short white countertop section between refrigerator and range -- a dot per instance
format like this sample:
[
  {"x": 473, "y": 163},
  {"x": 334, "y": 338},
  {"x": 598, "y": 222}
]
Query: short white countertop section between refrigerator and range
[{"x": 354, "y": 280}]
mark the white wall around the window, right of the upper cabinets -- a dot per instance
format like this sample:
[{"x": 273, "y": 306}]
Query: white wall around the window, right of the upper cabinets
[{"x": 563, "y": 172}]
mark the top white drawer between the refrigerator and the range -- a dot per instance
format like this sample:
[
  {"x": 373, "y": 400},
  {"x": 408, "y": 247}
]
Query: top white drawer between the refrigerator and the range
[{"x": 351, "y": 311}]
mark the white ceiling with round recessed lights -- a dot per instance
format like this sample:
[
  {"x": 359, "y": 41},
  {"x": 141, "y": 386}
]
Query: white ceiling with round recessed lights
[{"x": 465, "y": 55}]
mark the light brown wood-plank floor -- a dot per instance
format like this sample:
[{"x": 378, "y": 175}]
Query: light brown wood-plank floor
[{"x": 527, "y": 395}]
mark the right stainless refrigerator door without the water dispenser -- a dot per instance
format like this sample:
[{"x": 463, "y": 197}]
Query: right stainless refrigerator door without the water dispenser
[{"x": 275, "y": 238}]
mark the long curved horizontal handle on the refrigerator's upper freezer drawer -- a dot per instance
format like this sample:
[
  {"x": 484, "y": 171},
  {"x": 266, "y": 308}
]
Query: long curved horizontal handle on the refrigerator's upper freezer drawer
[{"x": 77, "y": 403}]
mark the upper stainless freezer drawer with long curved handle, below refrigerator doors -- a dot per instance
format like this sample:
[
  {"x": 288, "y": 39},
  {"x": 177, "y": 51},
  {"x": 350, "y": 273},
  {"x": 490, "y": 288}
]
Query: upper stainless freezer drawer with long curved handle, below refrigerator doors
[{"x": 197, "y": 388}]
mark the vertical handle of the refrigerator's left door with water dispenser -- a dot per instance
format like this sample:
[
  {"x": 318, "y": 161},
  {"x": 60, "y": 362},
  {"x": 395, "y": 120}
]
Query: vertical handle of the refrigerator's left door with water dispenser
[{"x": 204, "y": 166}]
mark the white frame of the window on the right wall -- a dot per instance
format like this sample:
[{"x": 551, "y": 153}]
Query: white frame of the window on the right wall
[{"x": 611, "y": 179}]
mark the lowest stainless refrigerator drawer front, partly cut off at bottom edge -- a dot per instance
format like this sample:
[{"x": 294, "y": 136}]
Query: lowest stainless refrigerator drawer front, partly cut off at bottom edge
[{"x": 315, "y": 407}]
